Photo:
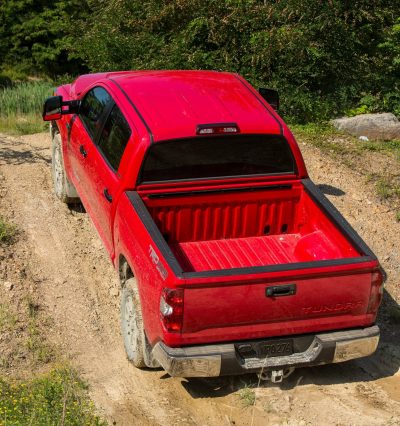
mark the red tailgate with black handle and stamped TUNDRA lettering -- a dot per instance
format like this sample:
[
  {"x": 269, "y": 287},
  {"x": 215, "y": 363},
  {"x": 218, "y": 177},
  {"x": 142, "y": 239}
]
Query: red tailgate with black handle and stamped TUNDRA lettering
[{"x": 279, "y": 308}]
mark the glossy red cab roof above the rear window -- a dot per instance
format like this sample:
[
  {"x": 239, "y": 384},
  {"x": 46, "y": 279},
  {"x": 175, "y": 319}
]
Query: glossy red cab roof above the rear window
[{"x": 173, "y": 103}]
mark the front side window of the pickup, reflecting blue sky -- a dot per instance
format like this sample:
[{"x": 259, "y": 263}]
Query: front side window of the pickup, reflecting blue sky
[{"x": 92, "y": 108}]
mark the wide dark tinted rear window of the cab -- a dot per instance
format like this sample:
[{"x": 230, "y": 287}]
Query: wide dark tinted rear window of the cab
[{"x": 217, "y": 156}]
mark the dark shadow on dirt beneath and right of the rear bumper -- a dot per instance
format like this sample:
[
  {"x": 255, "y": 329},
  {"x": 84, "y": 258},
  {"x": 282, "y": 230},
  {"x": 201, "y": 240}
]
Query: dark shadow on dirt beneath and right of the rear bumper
[{"x": 384, "y": 363}]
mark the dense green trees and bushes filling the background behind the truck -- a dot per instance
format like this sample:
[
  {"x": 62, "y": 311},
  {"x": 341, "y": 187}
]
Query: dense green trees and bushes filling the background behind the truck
[{"x": 326, "y": 58}]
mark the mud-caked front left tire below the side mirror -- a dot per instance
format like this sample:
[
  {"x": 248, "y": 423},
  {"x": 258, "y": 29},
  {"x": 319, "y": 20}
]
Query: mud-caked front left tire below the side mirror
[{"x": 63, "y": 189}]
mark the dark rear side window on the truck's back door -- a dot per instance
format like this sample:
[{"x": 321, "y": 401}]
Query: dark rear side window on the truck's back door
[{"x": 114, "y": 137}]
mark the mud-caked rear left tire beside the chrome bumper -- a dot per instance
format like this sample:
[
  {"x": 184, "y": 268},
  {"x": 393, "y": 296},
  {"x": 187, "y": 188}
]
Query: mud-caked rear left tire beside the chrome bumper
[{"x": 132, "y": 324}]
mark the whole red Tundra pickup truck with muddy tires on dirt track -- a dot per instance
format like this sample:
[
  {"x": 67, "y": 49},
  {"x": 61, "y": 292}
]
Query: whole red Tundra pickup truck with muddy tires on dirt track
[{"x": 230, "y": 259}]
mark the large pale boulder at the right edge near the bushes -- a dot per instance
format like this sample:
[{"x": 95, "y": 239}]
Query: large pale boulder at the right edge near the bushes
[{"x": 383, "y": 126}]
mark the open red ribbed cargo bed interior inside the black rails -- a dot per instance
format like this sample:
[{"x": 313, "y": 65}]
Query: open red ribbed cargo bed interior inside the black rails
[{"x": 272, "y": 225}]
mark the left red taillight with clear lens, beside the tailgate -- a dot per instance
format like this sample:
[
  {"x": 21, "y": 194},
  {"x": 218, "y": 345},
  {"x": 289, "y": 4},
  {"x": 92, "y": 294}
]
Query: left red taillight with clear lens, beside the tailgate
[{"x": 171, "y": 309}]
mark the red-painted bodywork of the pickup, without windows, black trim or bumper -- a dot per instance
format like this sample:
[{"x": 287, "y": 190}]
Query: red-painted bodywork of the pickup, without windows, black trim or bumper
[{"x": 211, "y": 232}]
